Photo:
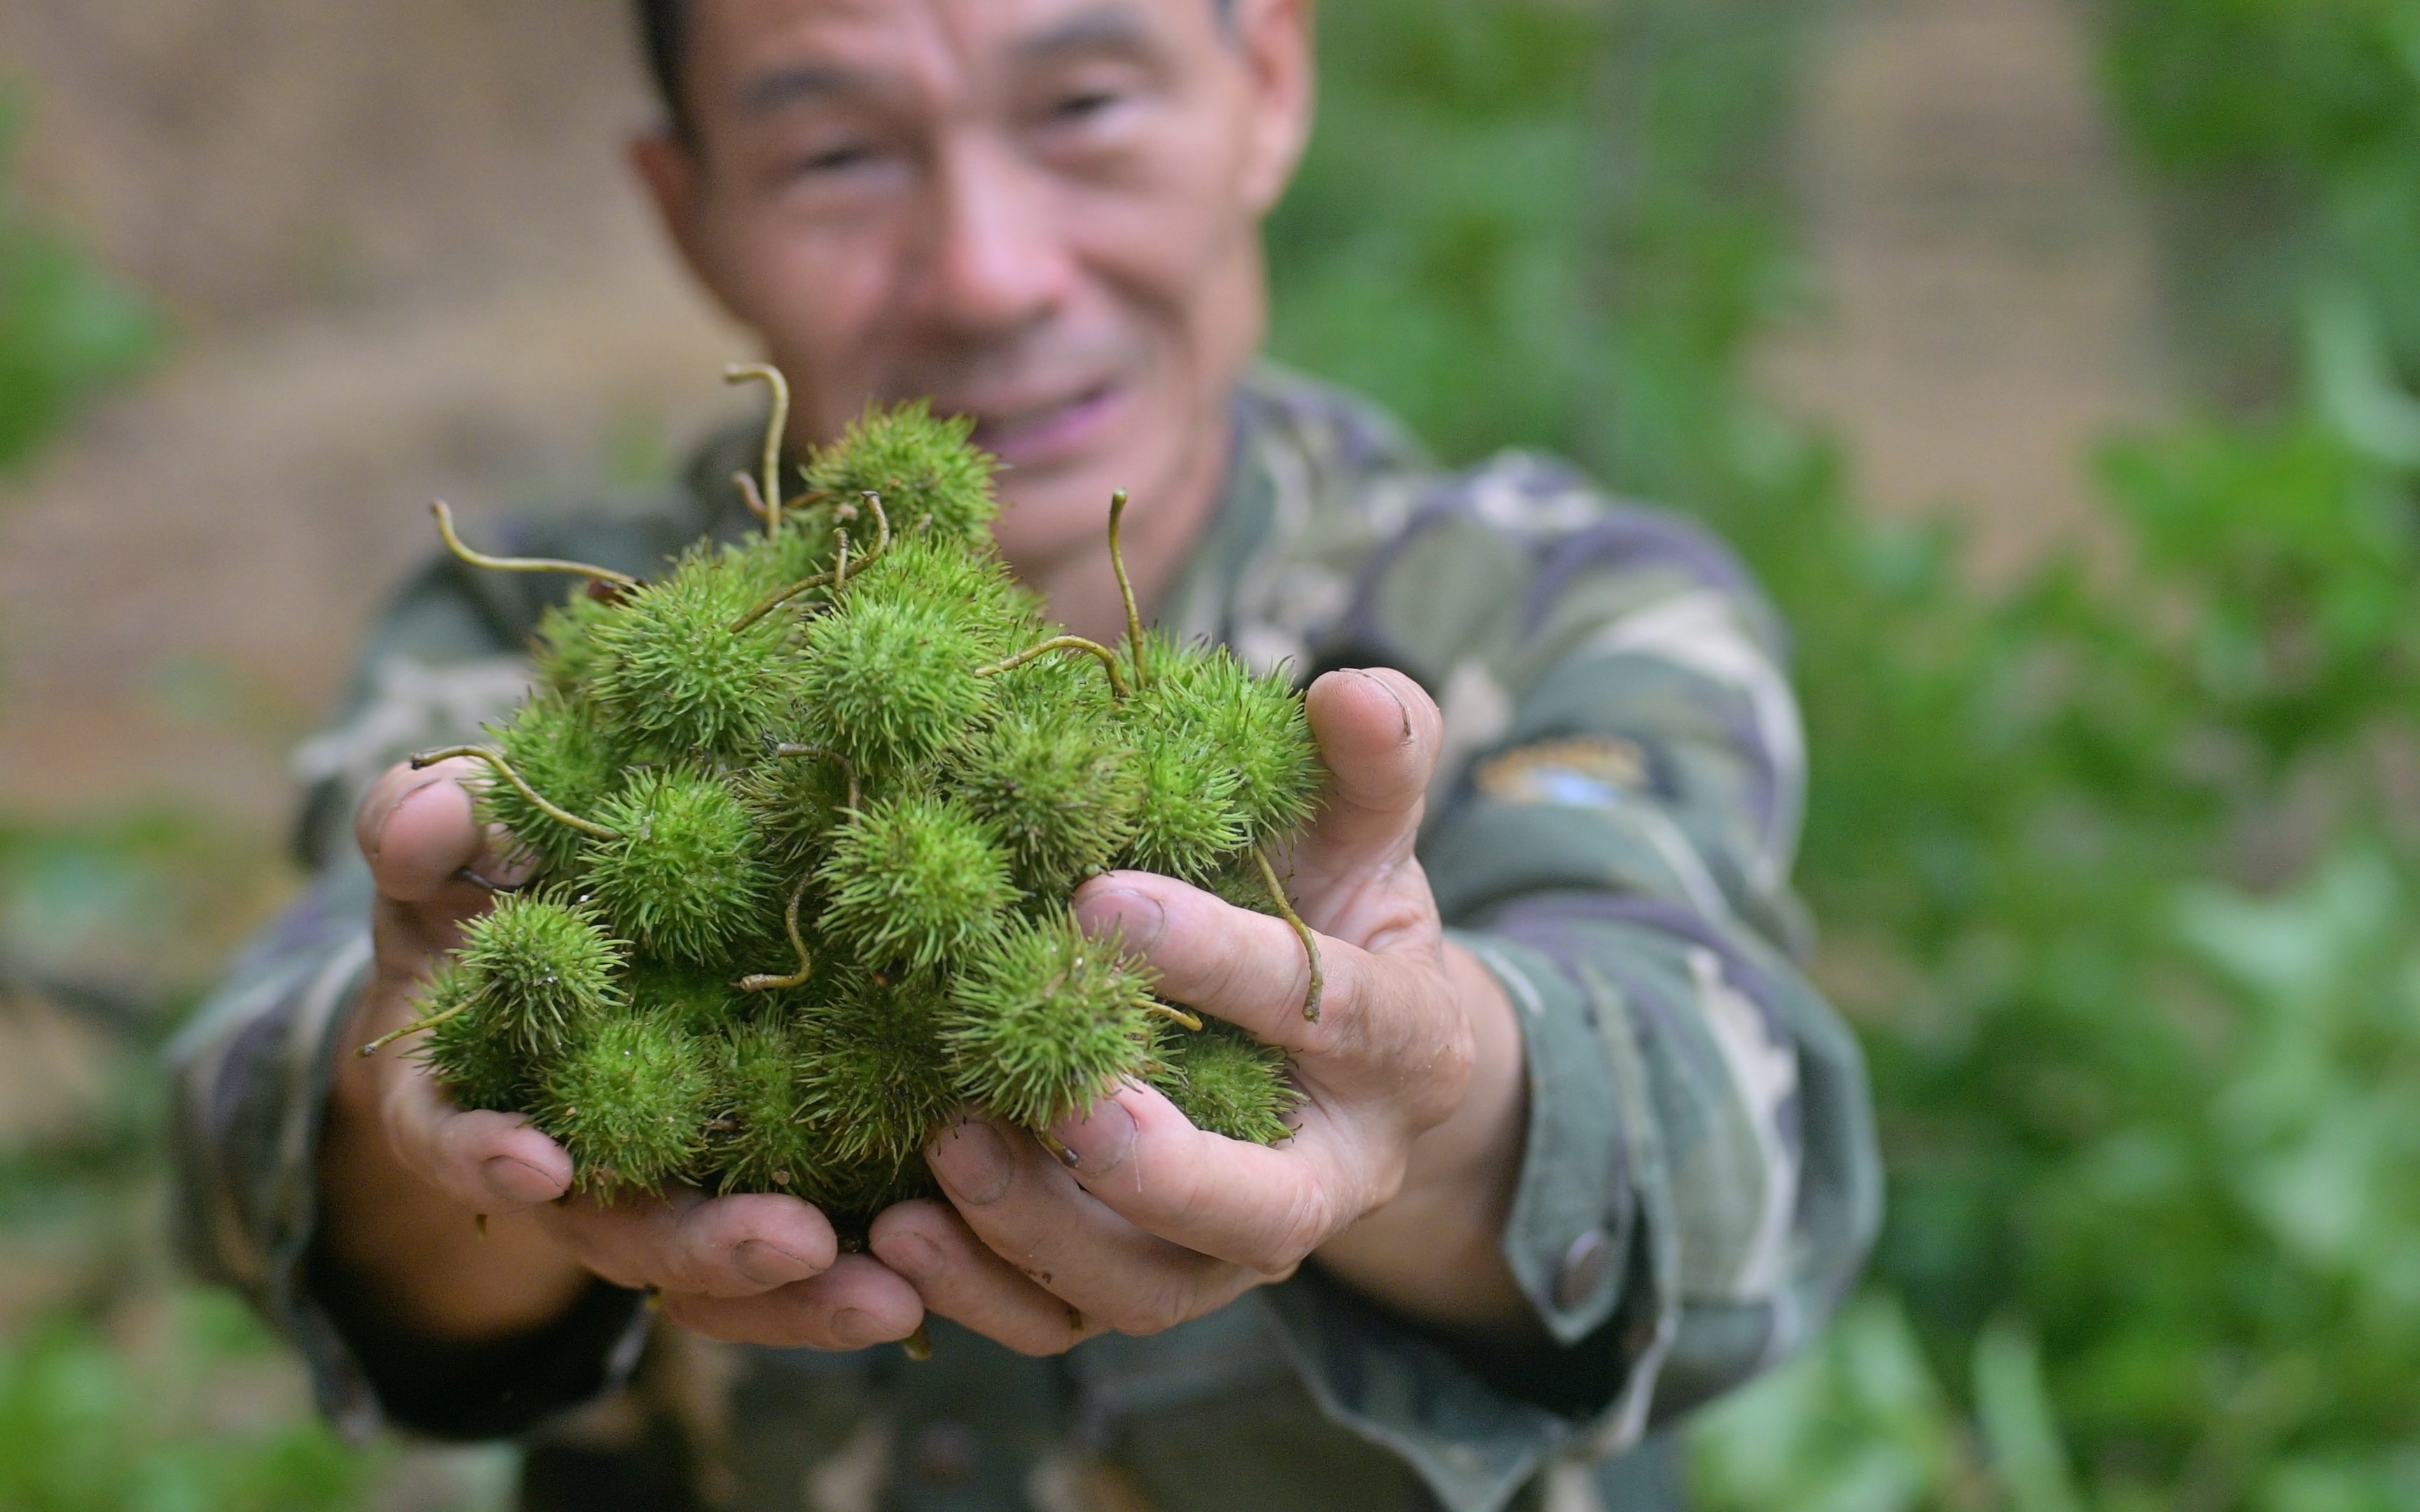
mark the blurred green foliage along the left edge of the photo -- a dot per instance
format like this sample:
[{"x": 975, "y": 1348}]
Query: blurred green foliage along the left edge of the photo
[{"x": 120, "y": 1390}]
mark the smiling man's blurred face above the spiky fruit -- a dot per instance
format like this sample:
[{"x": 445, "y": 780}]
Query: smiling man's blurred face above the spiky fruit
[{"x": 1042, "y": 214}]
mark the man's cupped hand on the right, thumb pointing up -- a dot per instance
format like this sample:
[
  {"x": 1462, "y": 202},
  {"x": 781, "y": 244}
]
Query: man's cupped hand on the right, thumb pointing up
[{"x": 1405, "y": 1150}]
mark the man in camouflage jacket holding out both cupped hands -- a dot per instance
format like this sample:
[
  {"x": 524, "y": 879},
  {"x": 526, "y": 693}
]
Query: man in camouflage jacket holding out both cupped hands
[{"x": 1565, "y": 1172}]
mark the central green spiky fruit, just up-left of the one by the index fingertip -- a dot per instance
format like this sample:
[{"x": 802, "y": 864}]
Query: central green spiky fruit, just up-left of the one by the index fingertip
[{"x": 916, "y": 882}]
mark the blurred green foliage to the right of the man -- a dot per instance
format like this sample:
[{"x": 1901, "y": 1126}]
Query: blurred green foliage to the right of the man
[{"x": 2119, "y": 870}]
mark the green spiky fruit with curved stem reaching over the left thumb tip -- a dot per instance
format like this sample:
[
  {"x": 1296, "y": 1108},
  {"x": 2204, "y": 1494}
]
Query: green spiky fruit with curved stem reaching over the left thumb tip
[{"x": 684, "y": 875}]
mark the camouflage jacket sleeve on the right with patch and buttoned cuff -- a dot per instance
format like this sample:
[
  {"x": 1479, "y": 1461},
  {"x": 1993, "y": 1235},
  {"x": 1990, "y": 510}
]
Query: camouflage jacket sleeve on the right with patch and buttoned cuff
[{"x": 1620, "y": 807}]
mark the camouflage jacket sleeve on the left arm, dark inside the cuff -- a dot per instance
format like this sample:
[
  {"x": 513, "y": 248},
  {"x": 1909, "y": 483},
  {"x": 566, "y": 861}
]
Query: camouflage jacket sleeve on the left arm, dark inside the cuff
[{"x": 250, "y": 1073}]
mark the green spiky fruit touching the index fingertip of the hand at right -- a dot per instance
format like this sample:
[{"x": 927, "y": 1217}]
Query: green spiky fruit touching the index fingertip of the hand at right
[{"x": 1047, "y": 1020}]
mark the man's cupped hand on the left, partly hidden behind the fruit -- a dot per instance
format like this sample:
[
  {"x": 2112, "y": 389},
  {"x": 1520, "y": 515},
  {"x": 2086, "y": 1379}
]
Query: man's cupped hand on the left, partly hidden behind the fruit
[{"x": 463, "y": 1220}]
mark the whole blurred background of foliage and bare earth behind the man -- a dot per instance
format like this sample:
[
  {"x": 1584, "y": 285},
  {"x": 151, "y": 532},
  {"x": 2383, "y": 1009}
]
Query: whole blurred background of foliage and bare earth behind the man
[{"x": 2053, "y": 362}]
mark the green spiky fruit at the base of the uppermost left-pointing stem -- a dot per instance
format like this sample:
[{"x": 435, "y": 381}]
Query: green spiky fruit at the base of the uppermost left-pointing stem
[{"x": 676, "y": 679}]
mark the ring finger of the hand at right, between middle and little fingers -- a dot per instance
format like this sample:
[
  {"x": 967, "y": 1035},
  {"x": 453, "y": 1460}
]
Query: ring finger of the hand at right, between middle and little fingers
[{"x": 1030, "y": 1213}]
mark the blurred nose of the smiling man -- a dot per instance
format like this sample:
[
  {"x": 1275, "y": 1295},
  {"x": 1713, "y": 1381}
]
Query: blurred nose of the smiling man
[{"x": 993, "y": 260}]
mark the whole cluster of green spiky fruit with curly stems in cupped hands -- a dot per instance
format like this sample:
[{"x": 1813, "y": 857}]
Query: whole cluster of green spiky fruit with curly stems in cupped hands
[{"x": 805, "y": 816}]
